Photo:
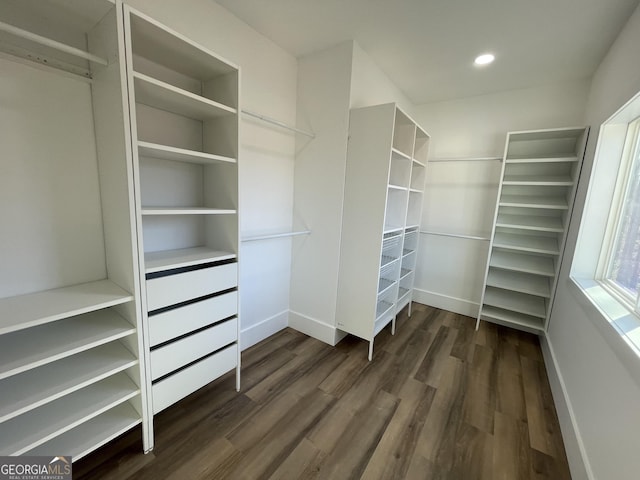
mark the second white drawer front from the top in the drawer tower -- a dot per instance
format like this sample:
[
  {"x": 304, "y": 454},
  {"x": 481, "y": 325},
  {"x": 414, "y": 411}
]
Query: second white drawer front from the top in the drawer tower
[{"x": 179, "y": 321}]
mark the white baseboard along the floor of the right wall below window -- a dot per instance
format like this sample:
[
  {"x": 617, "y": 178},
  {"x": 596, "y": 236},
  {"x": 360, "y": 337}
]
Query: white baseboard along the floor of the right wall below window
[{"x": 576, "y": 453}]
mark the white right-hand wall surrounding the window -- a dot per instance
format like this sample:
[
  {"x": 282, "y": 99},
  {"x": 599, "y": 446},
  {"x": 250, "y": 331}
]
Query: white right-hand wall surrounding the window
[{"x": 601, "y": 396}]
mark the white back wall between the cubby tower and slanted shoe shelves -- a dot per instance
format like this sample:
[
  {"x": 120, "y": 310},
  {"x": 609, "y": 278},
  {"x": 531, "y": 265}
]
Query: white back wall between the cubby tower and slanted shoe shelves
[{"x": 460, "y": 197}]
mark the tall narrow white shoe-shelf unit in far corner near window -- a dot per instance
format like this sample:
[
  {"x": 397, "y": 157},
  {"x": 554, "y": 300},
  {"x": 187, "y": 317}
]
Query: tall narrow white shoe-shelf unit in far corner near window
[{"x": 539, "y": 177}]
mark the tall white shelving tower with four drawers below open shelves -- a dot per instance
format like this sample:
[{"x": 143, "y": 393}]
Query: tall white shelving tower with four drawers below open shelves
[{"x": 184, "y": 104}]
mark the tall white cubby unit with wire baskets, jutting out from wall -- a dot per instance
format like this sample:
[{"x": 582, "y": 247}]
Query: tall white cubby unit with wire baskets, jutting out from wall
[{"x": 386, "y": 165}]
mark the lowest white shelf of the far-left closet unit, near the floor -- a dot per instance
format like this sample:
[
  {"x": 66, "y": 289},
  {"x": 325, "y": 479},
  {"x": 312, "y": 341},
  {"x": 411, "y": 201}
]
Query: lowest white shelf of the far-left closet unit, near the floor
[{"x": 85, "y": 438}]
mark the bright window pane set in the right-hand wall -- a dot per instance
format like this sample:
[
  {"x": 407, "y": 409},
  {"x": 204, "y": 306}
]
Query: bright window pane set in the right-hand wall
[{"x": 620, "y": 259}]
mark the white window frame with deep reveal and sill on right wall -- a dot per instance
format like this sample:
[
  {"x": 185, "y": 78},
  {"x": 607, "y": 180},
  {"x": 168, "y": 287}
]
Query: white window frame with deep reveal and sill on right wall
[{"x": 617, "y": 318}]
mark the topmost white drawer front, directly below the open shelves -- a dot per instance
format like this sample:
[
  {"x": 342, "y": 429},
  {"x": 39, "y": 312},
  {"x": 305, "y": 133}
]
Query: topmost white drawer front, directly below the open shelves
[{"x": 172, "y": 289}]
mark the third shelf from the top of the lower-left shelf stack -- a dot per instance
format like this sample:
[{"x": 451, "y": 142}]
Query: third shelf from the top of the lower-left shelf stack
[{"x": 39, "y": 386}]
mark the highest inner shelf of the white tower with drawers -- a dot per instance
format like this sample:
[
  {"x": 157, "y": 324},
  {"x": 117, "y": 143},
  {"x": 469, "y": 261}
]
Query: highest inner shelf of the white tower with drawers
[{"x": 158, "y": 94}]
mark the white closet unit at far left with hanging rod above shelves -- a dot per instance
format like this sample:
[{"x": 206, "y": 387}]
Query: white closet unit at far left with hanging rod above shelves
[{"x": 72, "y": 371}]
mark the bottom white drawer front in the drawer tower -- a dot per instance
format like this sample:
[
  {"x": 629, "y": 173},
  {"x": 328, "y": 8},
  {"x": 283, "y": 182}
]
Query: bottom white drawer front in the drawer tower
[{"x": 178, "y": 386}]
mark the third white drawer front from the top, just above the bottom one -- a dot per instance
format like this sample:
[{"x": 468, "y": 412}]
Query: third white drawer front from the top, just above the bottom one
[{"x": 166, "y": 359}]
